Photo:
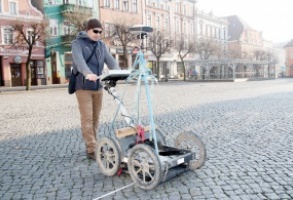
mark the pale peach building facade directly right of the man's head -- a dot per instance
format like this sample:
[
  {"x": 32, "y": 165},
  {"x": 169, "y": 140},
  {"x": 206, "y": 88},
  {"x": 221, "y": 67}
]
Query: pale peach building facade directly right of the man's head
[{"x": 123, "y": 14}]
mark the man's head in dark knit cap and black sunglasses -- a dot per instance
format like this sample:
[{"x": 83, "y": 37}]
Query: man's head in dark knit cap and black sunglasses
[{"x": 94, "y": 29}]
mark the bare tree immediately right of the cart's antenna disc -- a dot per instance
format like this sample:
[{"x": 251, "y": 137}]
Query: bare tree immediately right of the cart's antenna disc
[{"x": 159, "y": 44}]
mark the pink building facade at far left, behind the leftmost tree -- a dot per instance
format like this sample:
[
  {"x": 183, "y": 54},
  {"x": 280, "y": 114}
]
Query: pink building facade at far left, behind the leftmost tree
[{"x": 13, "y": 57}]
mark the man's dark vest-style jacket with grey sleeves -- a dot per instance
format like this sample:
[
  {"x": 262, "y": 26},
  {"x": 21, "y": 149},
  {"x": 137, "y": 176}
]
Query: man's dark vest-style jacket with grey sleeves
[{"x": 82, "y": 48}]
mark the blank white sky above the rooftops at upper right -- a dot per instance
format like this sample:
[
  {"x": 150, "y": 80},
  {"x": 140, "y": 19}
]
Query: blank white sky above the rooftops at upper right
[{"x": 272, "y": 17}]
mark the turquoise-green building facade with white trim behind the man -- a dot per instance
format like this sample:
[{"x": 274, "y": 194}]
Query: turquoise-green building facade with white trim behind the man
[{"x": 60, "y": 14}]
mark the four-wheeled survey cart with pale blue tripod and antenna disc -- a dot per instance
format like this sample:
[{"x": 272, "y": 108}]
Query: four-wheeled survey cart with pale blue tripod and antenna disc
[{"x": 138, "y": 149}]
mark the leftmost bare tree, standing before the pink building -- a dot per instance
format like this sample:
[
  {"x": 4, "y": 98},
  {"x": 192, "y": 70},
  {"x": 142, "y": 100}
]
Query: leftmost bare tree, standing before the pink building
[{"x": 28, "y": 34}]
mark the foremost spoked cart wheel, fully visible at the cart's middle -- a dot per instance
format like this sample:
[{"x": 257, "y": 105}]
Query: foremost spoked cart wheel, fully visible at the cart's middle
[{"x": 144, "y": 166}]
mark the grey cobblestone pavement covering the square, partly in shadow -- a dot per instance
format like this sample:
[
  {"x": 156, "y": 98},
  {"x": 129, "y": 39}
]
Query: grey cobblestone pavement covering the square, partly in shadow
[{"x": 247, "y": 128}]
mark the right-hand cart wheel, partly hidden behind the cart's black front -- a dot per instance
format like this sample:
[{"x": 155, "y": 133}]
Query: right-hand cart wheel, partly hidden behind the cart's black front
[{"x": 190, "y": 141}]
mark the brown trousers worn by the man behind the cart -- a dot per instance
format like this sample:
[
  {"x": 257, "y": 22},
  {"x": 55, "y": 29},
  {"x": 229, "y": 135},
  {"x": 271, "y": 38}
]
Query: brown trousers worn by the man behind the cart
[{"x": 90, "y": 105}]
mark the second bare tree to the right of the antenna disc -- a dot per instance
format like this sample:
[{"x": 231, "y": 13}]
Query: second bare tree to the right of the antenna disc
[{"x": 184, "y": 47}]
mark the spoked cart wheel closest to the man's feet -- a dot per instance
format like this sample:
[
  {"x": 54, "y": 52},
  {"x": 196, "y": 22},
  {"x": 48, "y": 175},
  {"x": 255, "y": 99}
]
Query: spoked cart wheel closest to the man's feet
[{"x": 108, "y": 156}]
